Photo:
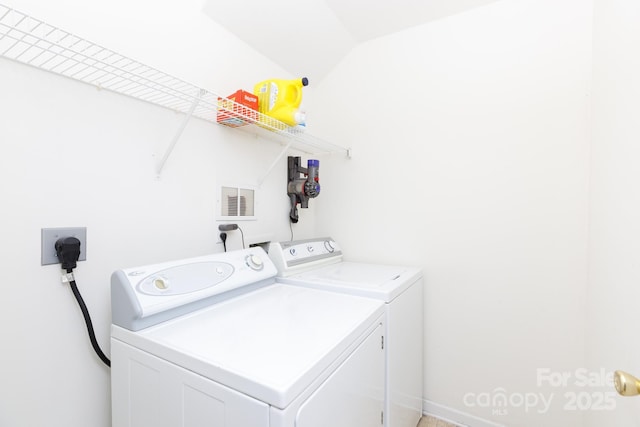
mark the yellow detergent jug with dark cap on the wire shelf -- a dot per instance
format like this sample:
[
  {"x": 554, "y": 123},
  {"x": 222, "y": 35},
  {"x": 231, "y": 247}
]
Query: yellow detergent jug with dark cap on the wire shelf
[{"x": 280, "y": 99}]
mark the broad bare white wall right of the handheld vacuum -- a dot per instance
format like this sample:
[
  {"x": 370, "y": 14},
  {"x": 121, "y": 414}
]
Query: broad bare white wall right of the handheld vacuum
[{"x": 470, "y": 141}]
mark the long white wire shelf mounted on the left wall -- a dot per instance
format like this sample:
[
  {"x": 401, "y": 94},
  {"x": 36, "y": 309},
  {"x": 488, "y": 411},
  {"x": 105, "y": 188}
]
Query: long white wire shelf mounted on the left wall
[{"x": 34, "y": 42}]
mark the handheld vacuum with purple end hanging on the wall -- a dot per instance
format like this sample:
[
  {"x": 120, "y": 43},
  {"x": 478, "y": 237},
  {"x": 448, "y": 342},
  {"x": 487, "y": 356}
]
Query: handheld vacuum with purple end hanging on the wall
[{"x": 301, "y": 188}]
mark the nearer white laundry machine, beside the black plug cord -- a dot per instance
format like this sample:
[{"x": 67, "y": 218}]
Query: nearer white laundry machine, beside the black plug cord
[{"x": 215, "y": 341}]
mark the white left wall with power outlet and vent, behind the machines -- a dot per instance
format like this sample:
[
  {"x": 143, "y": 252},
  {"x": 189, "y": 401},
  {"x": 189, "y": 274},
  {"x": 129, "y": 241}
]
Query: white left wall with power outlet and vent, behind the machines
[{"x": 77, "y": 156}]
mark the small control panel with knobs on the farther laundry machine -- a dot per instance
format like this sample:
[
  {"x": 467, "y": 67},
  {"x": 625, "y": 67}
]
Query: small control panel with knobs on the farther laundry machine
[{"x": 302, "y": 255}]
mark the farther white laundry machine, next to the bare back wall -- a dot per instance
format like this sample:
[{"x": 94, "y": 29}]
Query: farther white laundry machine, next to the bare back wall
[{"x": 318, "y": 263}]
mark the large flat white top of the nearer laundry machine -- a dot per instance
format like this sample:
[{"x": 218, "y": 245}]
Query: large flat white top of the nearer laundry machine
[{"x": 270, "y": 344}]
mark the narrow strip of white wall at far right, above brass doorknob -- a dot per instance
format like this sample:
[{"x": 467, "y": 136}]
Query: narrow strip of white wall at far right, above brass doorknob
[{"x": 614, "y": 271}]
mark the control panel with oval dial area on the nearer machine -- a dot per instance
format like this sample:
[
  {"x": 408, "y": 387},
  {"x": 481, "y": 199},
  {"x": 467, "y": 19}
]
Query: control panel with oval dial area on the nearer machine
[{"x": 147, "y": 295}]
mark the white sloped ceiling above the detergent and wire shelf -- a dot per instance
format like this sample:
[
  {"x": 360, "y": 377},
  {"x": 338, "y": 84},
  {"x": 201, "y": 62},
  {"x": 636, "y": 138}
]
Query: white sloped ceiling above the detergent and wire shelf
[{"x": 309, "y": 37}]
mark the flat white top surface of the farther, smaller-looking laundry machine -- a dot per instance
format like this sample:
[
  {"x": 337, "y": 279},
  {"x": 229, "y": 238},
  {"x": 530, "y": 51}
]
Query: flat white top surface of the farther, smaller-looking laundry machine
[{"x": 383, "y": 282}]
